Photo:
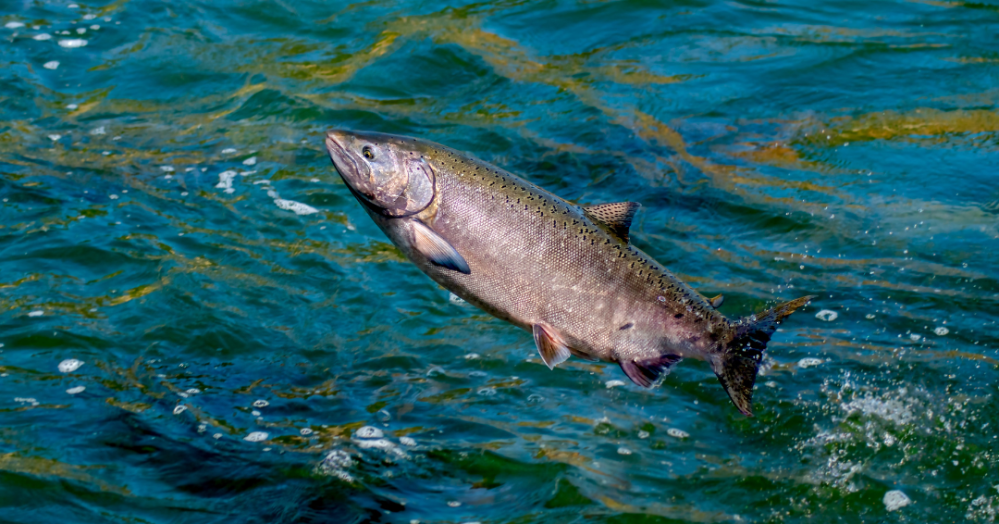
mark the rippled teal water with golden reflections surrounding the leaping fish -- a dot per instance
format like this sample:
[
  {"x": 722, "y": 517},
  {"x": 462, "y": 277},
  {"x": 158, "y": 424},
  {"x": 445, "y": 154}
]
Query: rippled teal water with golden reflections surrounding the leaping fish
[{"x": 169, "y": 218}]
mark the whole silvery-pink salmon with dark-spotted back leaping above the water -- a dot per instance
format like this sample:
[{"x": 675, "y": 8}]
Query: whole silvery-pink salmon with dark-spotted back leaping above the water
[{"x": 565, "y": 272}]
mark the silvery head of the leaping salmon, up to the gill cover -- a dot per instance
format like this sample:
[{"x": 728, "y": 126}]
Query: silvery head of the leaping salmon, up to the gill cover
[{"x": 388, "y": 173}]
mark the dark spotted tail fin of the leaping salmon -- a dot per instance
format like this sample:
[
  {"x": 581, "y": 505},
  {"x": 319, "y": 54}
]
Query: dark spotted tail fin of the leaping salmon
[{"x": 736, "y": 368}]
